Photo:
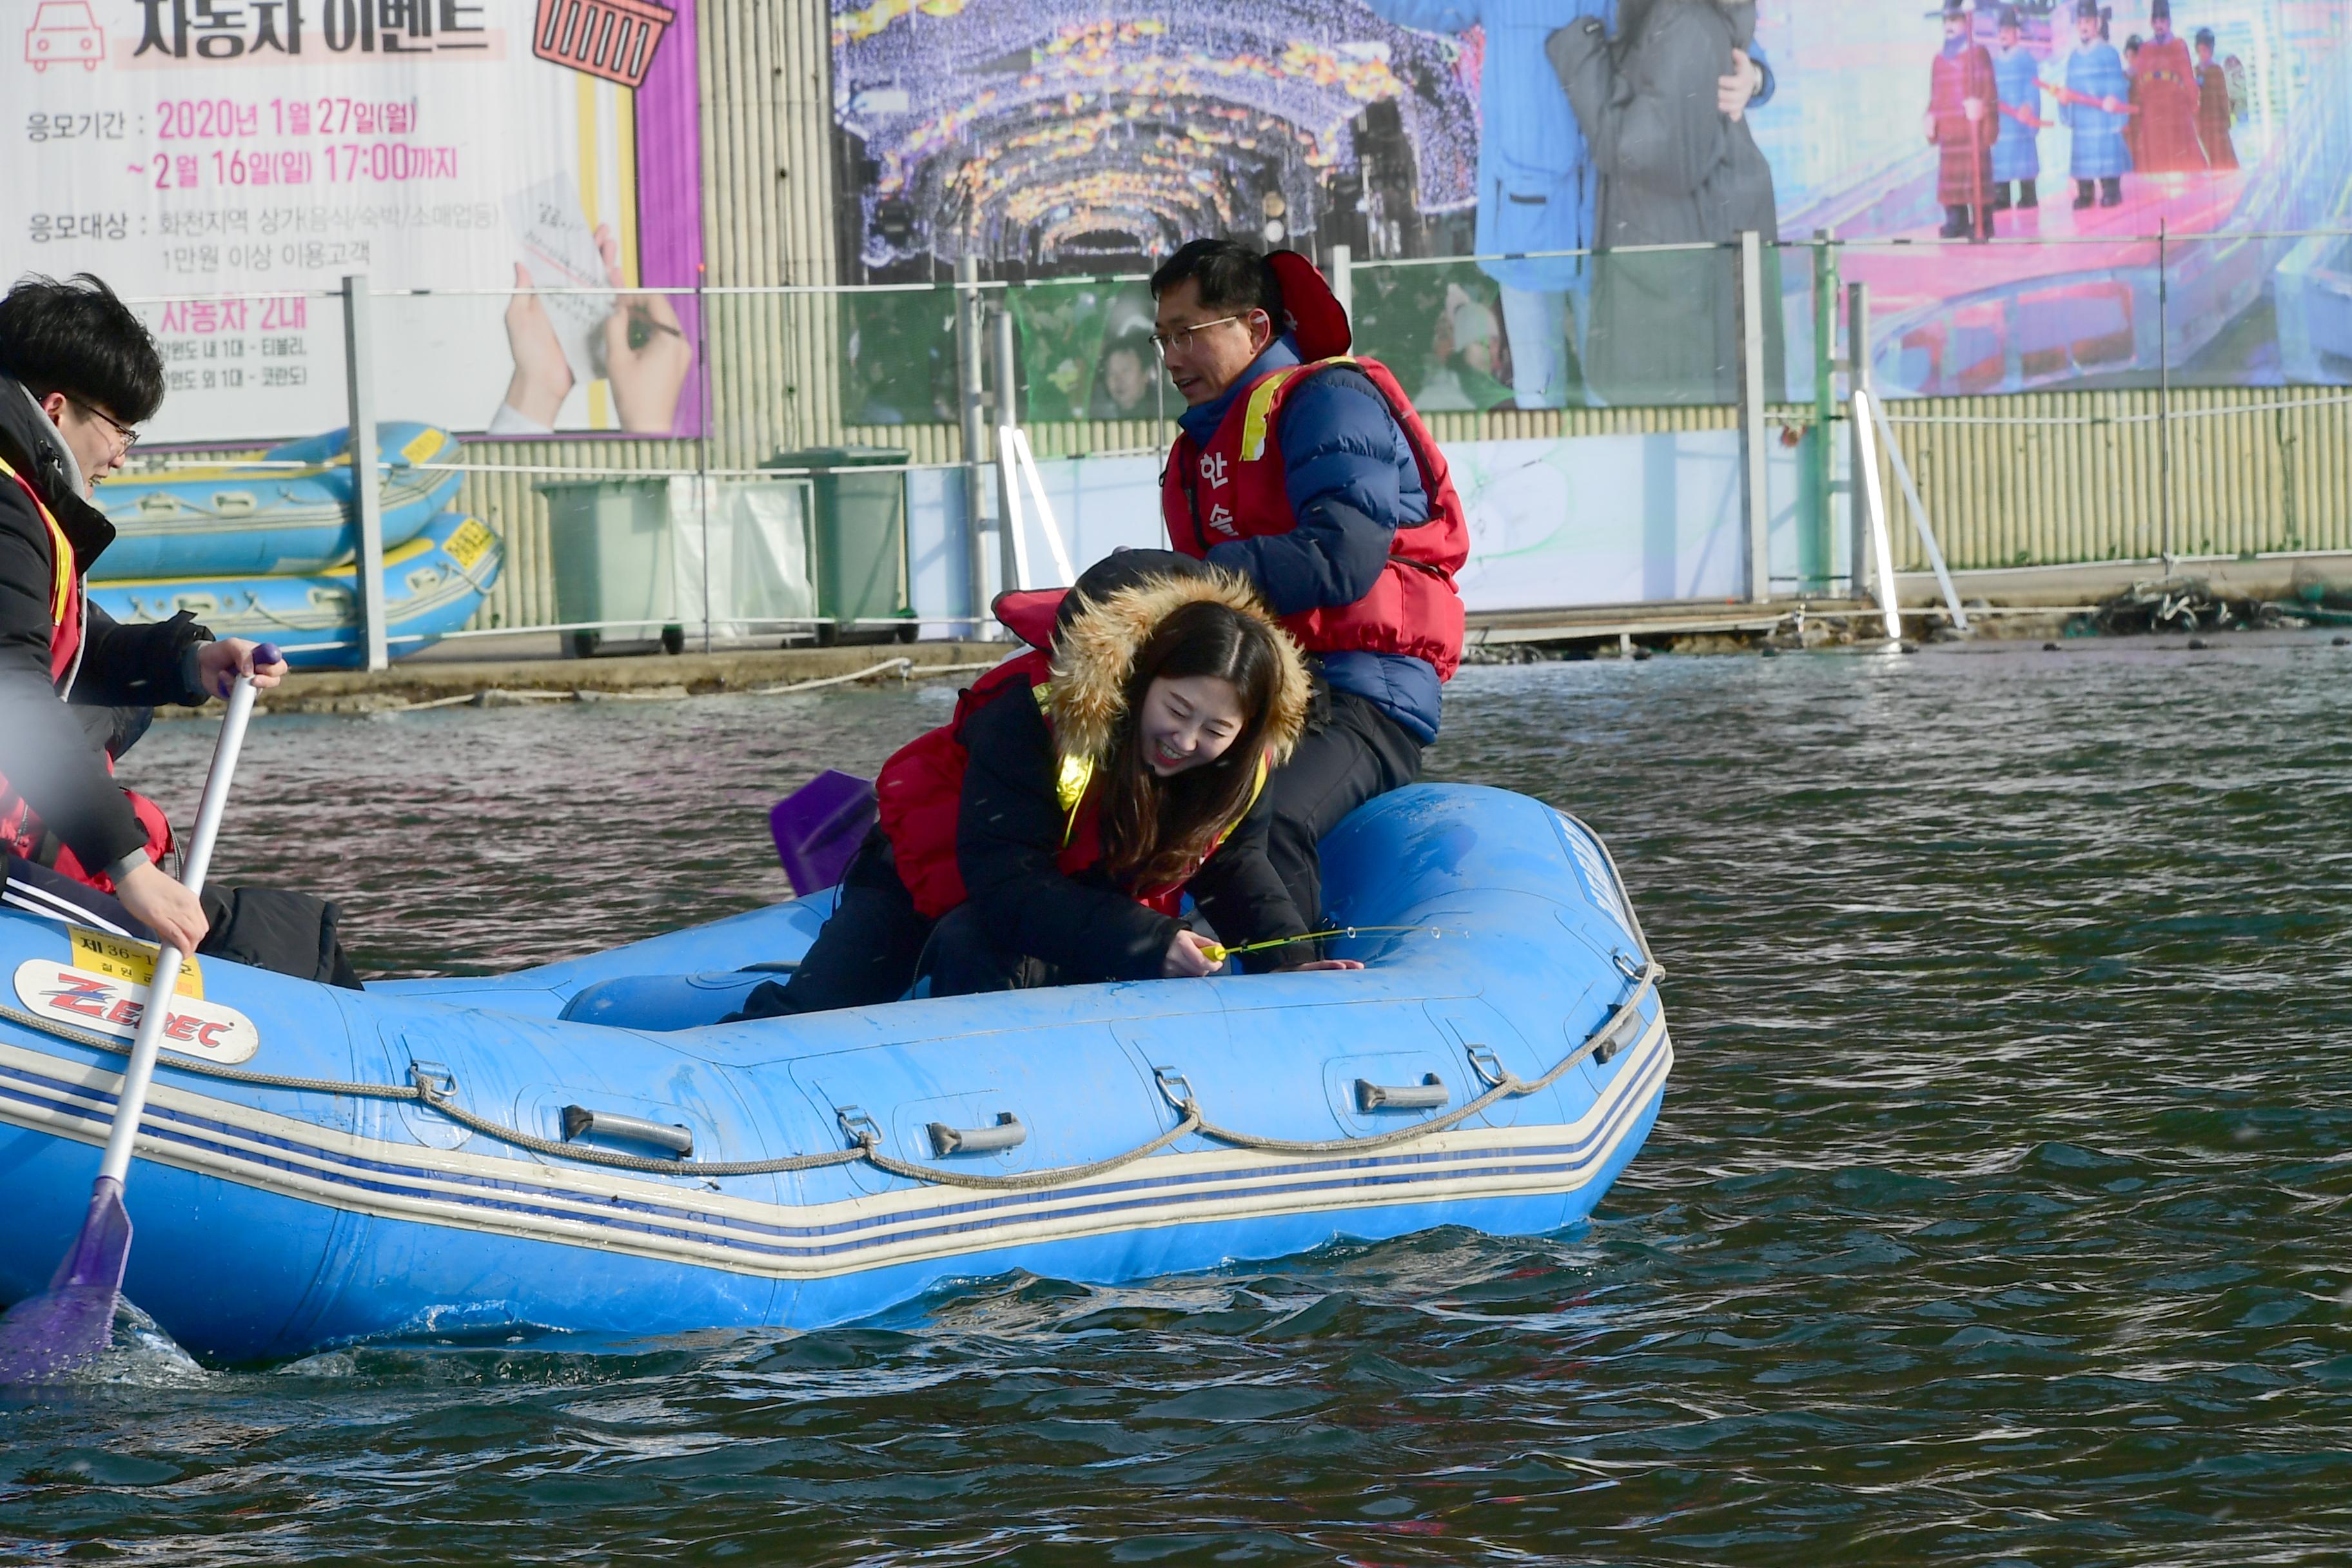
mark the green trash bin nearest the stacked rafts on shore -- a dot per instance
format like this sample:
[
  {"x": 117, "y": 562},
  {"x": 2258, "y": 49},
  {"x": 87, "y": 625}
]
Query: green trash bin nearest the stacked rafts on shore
[{"x": 610, "y": 547}]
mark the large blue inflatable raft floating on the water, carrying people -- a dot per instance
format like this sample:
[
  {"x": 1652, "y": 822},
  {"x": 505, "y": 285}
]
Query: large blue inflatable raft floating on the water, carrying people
[{"x": 582, "y": 1148}]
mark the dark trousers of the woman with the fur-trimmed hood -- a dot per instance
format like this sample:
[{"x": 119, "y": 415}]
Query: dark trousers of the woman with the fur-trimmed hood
[{"x": 878, "y": 944}]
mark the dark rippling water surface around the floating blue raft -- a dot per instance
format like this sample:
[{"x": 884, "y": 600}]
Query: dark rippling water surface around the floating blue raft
[{"x": 1996, "y": 1214}]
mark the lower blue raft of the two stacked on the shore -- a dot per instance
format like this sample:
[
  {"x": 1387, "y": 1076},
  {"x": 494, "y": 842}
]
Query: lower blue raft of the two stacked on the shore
[{"x": 432, "y": 589}]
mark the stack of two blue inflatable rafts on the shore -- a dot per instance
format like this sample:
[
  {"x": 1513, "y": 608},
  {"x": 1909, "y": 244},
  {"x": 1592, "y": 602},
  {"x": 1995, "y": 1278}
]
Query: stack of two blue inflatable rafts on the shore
[{"x": 267, "y": 549}]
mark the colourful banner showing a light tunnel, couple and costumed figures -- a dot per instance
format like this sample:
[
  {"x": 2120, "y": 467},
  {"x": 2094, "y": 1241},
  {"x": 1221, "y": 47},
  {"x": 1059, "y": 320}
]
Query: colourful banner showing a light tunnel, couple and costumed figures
[{"x": 2047, "y": 194}]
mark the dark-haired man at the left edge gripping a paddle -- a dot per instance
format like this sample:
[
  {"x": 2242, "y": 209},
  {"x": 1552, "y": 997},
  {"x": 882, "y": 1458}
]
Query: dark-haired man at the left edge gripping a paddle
[{"x": 76, "y": 375}]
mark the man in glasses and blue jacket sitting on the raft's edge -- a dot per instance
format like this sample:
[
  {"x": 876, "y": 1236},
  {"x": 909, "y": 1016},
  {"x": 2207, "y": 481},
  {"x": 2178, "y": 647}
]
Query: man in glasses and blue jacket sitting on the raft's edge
[{"x": 1314, "y": 476}]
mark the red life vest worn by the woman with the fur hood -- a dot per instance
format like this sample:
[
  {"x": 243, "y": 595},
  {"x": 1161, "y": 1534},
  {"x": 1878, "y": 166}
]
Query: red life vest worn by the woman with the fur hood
[{"x": 921, "y": 793}]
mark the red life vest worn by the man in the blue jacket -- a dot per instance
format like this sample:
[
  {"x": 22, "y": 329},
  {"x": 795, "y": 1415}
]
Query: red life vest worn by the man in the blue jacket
[{"x": 1236, "y": 490}]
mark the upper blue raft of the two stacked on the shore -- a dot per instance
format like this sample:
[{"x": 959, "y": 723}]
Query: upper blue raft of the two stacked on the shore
[{"x": 288, "y": 511}]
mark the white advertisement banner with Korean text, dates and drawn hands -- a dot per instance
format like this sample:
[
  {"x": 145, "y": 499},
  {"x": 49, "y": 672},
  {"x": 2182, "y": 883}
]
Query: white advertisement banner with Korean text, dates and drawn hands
[{"x": 227, "y": 161}]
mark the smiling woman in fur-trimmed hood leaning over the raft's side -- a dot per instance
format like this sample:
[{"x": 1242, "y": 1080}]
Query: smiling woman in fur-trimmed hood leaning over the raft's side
[{"x": 1050, "y": 831}]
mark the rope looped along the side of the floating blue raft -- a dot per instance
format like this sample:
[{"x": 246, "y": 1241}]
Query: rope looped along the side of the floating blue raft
[{"x": 436, "y": 1090}]
